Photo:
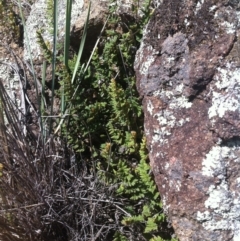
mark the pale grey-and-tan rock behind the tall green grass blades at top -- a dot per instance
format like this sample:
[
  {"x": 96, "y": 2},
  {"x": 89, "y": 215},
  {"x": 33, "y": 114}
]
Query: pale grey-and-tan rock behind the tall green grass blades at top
[{"x": 40, "y": 19}]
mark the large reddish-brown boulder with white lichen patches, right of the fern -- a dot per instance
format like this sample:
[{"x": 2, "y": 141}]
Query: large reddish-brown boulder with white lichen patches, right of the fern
[{"x": 188, "y": 73}]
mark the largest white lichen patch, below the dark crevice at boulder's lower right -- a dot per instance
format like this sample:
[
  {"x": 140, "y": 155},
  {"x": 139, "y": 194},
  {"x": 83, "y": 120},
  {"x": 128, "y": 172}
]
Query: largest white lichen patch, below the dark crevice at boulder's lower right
[{"x": 223, "y": 204}]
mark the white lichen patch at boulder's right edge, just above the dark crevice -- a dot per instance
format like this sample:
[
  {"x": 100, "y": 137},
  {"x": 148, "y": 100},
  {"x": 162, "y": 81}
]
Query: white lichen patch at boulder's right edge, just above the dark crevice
[{"x": 227, "y": 80}]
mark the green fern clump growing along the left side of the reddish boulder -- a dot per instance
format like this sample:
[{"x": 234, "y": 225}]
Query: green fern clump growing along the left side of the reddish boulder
[{"x": 105, "y": 125}]
